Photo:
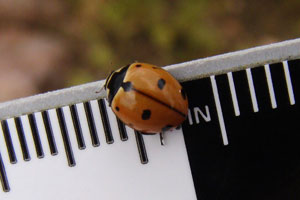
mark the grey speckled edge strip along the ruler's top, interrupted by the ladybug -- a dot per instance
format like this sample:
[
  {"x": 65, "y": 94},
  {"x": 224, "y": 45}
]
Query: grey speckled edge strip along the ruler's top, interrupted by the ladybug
[{"x": 186, "y": 71}]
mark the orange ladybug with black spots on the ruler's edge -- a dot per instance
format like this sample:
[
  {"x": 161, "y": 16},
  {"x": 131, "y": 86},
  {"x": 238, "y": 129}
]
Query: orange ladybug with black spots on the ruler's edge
[{"x": 146, "y": 98}]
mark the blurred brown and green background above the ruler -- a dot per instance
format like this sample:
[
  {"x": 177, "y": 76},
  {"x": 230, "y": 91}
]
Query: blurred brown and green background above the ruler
[{"x": 51, "y": 44}]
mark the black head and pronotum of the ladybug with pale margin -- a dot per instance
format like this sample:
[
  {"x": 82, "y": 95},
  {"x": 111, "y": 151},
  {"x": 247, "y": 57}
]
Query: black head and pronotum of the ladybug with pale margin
[{"x": 114, "y": 82}]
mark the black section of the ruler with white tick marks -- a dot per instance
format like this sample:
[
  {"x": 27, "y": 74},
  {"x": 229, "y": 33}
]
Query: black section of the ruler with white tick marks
[{"x": 242, "y": 133}]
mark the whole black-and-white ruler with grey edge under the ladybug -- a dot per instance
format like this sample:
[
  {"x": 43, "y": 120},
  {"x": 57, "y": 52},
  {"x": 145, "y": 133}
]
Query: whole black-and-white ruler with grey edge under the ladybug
[{"x": 240, "y": 140}]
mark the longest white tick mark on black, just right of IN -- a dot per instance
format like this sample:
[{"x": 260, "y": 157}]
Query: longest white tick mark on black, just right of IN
[{"x": 219, "y": 110}]
